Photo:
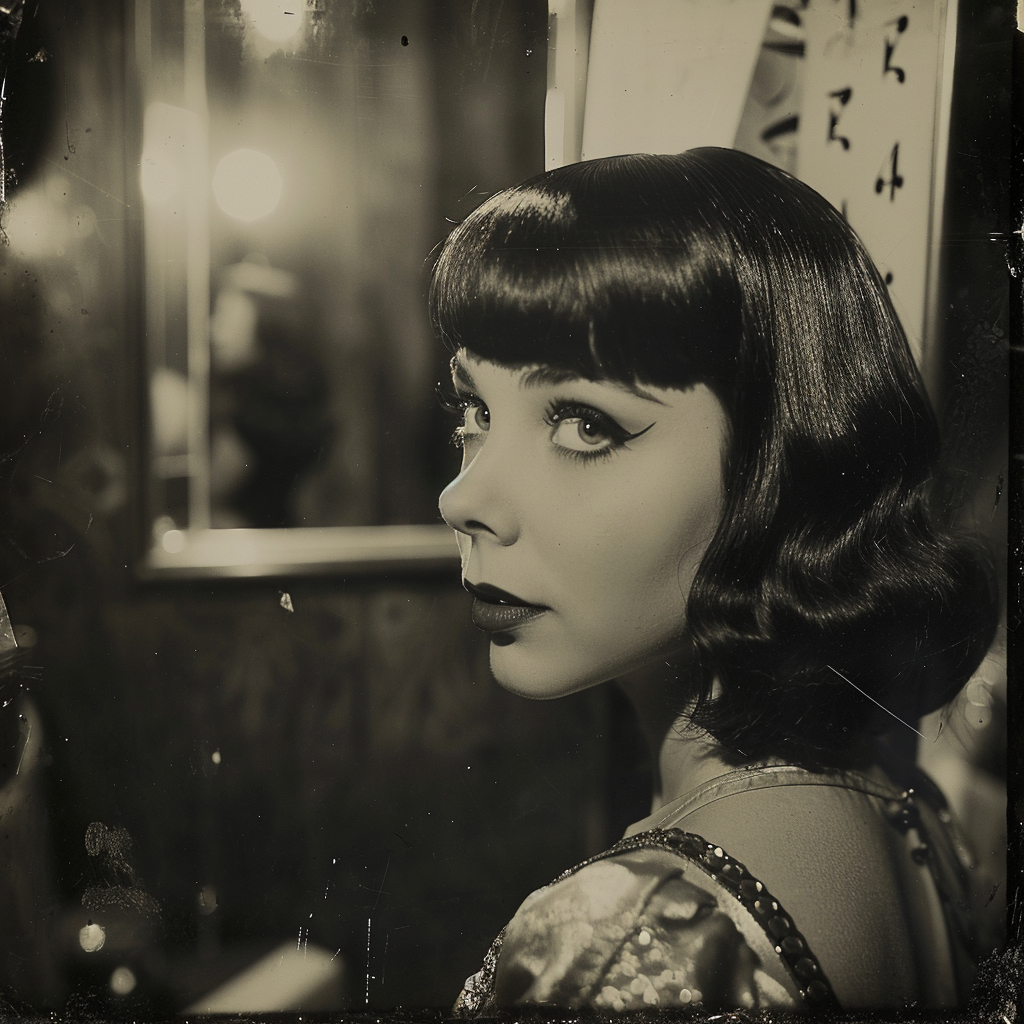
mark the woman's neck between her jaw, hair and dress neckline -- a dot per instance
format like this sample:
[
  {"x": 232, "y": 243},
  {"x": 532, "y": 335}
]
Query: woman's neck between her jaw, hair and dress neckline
[{"x": 685, "y": 756}]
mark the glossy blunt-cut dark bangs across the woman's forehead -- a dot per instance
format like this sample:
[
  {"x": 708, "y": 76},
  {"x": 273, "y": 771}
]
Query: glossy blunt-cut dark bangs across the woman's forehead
[{"x": 636, "y": 290}]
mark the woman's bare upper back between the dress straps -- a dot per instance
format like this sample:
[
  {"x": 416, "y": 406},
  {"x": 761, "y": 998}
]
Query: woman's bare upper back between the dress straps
[{"x": 829, "y": 856}]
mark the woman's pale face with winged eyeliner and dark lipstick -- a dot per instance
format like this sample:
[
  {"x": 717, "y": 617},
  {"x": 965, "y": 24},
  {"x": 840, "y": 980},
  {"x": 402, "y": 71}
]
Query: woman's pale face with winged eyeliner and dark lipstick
[{"x": 583, "y": 510}]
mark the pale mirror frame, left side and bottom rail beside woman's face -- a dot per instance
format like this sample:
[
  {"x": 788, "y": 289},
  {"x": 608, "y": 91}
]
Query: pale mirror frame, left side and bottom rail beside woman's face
[{"x": 200, "y": 551}]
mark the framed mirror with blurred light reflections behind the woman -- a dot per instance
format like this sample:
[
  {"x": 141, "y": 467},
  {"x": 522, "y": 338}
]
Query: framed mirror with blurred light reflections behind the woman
[{"x": 297, "y": 168}]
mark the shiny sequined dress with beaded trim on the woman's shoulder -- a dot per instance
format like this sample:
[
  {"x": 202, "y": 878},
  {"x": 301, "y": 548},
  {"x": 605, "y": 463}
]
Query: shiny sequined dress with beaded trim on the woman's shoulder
[{"x": 668, "y": 919}]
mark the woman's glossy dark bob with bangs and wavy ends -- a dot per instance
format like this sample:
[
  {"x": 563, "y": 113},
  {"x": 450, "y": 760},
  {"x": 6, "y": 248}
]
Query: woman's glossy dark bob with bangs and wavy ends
[{"x": 830, "y": 604}]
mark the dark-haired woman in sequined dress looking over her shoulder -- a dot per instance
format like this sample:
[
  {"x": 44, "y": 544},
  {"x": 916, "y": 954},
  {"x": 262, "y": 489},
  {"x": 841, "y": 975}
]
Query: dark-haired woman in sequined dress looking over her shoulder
[{"x": 697, "y": 460}]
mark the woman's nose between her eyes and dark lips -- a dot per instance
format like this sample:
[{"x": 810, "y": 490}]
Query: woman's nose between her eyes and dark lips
[{"x": 480, "y": 502}]
